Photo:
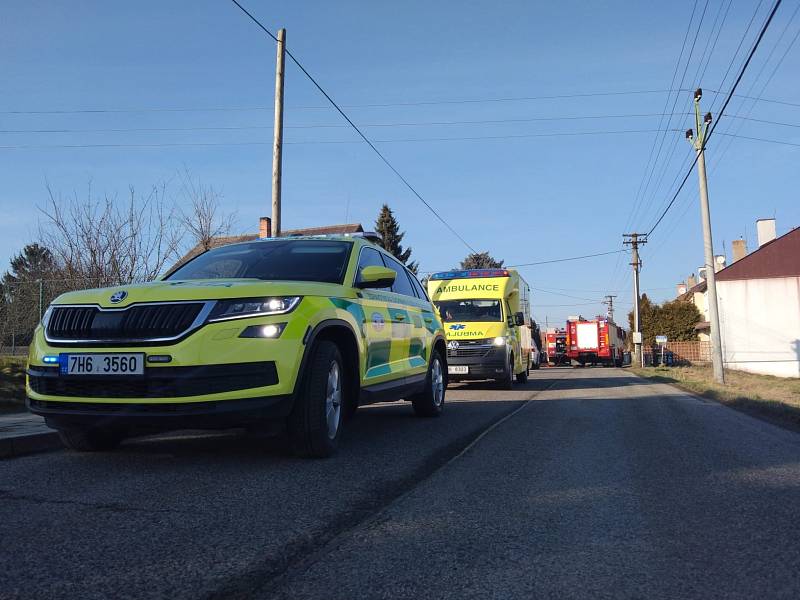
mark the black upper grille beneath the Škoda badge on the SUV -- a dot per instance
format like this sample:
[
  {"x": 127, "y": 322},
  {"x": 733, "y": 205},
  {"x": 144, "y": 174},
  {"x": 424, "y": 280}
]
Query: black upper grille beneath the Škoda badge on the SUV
[{"x": 142, "y": 322}]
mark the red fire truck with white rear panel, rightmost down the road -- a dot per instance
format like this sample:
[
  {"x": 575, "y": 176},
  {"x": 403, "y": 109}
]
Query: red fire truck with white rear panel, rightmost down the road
[{"x": 594, "y": 341}]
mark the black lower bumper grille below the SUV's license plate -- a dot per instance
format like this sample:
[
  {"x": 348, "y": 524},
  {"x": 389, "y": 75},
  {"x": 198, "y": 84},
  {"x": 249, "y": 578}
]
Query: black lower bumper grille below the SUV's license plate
[{"x": 161, "y": 382}]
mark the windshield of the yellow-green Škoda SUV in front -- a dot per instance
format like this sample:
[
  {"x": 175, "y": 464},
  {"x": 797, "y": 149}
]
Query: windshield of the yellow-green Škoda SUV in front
[{"x": 283, "y": 260}]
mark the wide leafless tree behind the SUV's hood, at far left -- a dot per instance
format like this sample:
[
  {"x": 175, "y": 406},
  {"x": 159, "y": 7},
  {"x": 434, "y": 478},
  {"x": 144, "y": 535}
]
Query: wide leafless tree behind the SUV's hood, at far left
[{"x": 110, "y": 241}]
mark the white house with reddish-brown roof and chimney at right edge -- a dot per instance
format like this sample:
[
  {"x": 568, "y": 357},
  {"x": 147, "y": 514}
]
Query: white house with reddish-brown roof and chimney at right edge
[{"x": 759, "y": 302}]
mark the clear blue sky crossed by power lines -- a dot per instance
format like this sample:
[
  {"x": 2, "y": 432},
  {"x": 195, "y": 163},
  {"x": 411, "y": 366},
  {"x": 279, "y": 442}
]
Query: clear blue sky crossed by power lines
[{"x": 522, "y": 198}]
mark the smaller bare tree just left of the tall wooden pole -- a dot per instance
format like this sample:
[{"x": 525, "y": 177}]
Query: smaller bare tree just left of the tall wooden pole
[{"x": 203, "y": 219}]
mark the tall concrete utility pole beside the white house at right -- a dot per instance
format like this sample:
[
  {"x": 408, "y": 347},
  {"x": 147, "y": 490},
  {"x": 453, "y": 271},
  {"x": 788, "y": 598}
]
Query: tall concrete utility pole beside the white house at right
[{"x": 708, "y": 244}]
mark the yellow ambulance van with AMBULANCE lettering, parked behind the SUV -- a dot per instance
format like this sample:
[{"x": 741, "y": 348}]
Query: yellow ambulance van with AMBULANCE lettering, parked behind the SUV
[{"x": 487, "y": 320}]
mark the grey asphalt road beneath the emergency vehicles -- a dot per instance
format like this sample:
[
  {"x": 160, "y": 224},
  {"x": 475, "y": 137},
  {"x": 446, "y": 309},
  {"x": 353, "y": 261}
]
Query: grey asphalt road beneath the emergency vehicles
[{"x": 602, "y": 485}]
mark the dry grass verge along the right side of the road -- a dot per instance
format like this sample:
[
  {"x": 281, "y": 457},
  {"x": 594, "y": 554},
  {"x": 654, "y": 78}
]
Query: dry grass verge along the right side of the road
[{"x": 775, "y": 399}]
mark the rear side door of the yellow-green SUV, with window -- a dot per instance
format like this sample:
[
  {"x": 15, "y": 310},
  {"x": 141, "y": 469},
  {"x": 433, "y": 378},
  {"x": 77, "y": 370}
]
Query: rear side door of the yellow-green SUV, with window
[{"x": 407, "y": 355}]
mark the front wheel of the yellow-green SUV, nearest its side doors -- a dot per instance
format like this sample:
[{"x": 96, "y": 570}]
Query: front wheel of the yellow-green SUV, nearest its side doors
[{"x": 315, "y": 422}]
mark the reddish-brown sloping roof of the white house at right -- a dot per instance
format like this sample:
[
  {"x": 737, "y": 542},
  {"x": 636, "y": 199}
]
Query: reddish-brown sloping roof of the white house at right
[{"x": 778, "y": 258}]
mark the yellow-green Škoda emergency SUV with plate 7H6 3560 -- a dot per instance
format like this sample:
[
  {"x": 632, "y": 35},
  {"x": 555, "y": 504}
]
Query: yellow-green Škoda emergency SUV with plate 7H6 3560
[{"x": 290, "y": 331}]
